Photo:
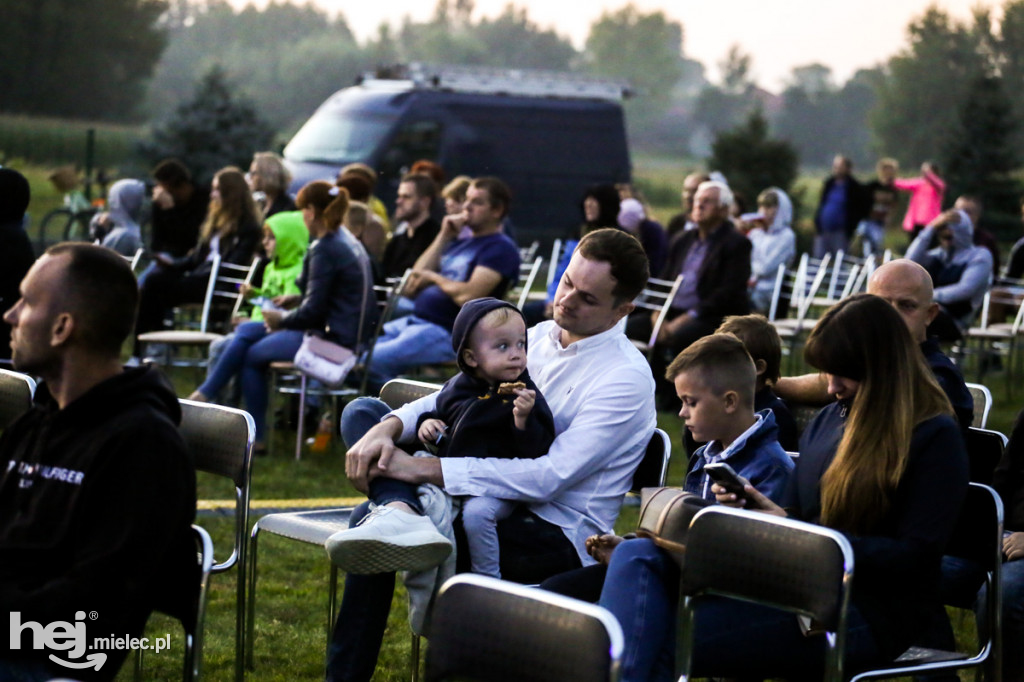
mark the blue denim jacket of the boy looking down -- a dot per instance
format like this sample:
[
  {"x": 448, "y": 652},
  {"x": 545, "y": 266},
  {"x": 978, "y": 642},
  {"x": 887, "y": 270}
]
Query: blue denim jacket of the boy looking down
[{"x": 756, "y": 456}]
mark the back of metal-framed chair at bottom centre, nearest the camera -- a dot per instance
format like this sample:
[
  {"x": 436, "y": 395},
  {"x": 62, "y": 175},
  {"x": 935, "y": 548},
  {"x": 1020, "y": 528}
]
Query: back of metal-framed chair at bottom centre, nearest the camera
[{"x": 489, "y": 630}]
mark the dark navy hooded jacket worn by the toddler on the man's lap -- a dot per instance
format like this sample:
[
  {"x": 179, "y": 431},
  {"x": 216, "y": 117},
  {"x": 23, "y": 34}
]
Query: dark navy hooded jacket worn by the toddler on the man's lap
[{"x": 480, "y": 421}]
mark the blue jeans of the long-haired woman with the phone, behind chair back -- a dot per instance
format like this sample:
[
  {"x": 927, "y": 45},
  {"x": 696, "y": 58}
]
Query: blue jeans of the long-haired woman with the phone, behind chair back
[{"x": 733, "y": 638}]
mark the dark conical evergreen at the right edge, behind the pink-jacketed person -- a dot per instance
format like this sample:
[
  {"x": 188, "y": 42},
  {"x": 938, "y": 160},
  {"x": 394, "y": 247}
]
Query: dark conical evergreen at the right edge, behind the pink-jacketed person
[{"x": 985, "y": 154}]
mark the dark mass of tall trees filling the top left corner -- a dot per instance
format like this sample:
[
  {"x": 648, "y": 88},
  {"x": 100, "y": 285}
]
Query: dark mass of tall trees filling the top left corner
[{"x": 86, "y": 60}]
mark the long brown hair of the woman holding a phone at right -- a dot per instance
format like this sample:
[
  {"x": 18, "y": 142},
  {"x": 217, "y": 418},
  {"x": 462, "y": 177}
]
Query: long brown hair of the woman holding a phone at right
[{"x": 865, "y": 339}]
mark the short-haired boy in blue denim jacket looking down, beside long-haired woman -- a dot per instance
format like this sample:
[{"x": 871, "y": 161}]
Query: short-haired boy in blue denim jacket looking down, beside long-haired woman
[{"x": 715, "y": 378}]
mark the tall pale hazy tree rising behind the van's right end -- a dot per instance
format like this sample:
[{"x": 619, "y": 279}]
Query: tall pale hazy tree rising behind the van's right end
[{"x": 647, "y": 51}]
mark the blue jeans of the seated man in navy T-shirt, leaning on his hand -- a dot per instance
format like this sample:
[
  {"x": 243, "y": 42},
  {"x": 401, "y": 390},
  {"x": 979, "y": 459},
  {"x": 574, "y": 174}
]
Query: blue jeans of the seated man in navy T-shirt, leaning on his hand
[{"x": 406, "y": 344}]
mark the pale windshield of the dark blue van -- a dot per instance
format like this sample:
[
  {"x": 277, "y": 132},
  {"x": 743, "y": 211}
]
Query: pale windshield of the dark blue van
[{"x": 339, "y": 137}]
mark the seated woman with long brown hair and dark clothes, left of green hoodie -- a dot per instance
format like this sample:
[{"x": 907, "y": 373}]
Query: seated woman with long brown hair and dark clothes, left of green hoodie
[{"x": 231, "y": 230}]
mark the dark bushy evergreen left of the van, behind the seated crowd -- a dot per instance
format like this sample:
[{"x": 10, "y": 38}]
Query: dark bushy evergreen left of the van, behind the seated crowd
[{"x": 214, "y": 131}]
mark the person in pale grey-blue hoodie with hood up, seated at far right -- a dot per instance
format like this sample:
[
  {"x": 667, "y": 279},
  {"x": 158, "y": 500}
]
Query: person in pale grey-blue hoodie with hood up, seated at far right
[{"x": 962, "y": 273}]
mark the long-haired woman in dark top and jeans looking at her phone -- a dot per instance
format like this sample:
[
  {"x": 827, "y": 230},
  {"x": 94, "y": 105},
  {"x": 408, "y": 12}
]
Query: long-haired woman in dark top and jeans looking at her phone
[{"x": 885, "y": 465}]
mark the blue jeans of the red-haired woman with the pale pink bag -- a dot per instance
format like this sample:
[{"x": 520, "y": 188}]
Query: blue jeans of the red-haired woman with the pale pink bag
[{"x": 249, "y": 355}]
